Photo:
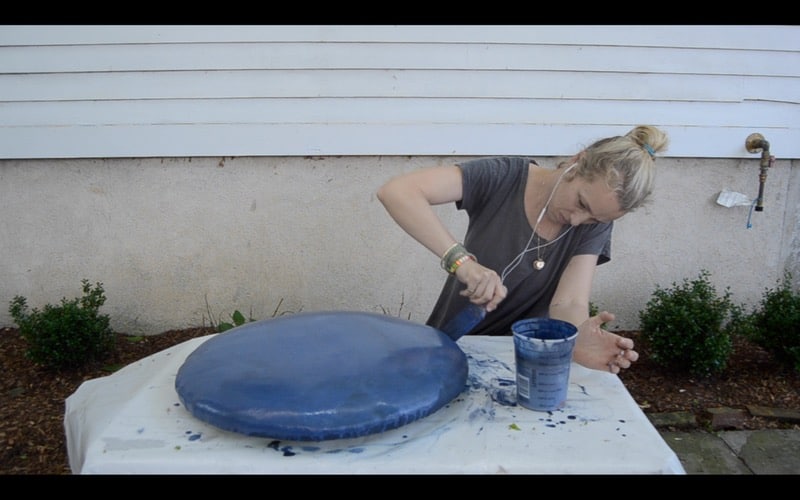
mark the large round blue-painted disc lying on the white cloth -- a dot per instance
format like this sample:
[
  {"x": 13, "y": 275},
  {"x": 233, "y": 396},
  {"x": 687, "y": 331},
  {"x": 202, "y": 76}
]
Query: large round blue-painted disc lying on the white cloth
[{"x": 323, "y": 375}]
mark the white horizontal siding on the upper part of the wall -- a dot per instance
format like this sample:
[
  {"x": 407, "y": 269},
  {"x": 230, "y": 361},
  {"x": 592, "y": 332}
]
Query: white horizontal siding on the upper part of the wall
[{"x": 184, "y": 91}]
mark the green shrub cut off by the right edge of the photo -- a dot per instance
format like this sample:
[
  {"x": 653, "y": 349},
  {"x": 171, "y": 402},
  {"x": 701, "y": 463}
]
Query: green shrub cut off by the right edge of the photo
[{"x": 774, "y": 324}]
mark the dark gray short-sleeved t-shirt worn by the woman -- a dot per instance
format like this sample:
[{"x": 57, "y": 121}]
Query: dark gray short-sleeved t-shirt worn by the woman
[{"x": 498, "y": 230}]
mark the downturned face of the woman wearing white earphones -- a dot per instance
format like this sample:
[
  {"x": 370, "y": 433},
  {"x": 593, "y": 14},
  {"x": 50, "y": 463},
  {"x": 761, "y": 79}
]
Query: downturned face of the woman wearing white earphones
[{"x": 580, "y": 202}]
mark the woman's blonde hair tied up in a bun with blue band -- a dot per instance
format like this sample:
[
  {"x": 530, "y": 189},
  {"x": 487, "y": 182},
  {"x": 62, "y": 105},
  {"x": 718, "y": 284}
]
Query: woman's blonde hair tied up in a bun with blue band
[{"x": 627, "y": 162}]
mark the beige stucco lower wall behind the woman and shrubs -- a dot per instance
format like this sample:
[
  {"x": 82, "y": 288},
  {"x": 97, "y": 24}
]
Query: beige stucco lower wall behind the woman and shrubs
[{"x": 171, "y": 239}]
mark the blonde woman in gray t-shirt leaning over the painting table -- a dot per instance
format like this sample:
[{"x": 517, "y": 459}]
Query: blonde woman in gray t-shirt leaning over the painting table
[{"x": 535, "y": 235}]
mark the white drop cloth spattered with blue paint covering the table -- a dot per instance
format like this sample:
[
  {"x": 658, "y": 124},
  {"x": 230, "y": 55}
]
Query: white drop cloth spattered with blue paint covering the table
[{"x": 132, "y": 422}]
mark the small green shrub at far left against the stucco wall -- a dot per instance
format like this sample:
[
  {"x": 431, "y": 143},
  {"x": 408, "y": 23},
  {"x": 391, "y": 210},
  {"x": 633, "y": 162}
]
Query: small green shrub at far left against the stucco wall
[{"x": 65, "y": 336}]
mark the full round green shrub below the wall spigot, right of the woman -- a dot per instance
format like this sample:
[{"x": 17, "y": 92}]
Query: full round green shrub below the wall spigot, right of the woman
[{"x": 688, "y": 327}]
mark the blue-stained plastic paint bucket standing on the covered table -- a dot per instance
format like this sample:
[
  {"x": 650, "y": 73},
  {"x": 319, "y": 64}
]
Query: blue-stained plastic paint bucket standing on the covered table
[{"x": 543, "y": 353}]
